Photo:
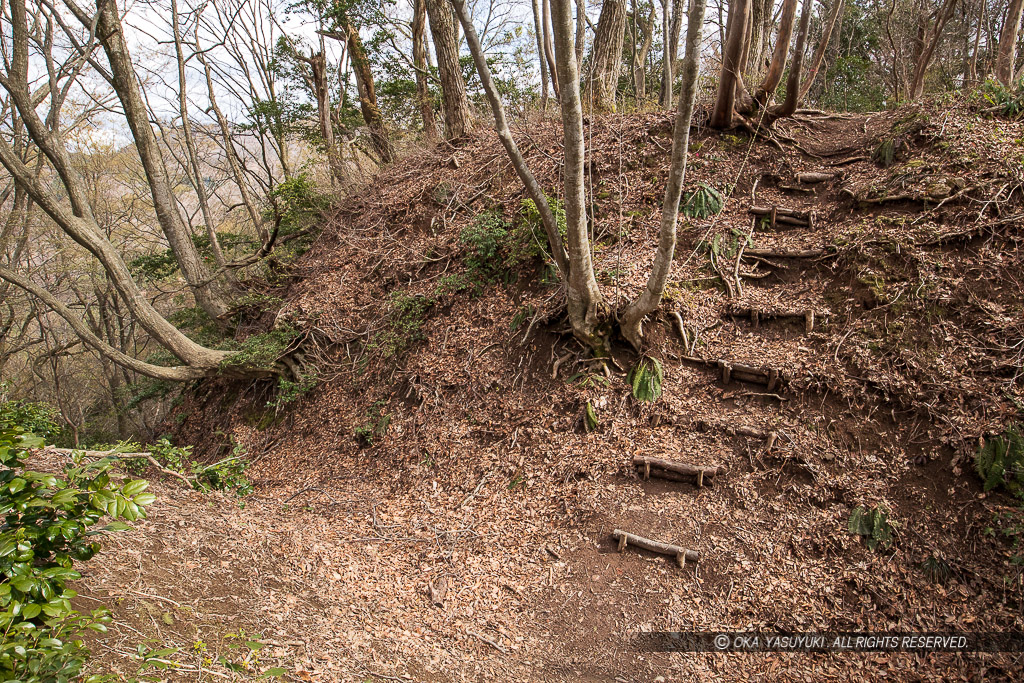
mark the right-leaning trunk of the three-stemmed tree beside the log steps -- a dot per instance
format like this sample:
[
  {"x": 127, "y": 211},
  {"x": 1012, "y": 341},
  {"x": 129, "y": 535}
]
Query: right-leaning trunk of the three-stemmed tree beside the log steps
[{"x": 651, "y": 298}]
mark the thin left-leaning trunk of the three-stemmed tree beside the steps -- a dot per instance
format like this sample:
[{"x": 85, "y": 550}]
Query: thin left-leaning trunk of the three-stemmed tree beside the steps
[{"x": 502, "y": 129}]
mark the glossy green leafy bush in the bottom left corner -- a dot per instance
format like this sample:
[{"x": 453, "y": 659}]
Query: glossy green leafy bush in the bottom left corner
[{"x": 50, "y": 523}]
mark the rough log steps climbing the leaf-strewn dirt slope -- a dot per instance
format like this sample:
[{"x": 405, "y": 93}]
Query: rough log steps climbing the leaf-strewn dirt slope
[{"x": 781, "y": 251}]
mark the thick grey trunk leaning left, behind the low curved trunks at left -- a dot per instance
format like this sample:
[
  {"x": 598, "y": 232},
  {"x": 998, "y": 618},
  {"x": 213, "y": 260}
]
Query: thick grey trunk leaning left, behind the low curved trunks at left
[{"x": 211, "y": 293}]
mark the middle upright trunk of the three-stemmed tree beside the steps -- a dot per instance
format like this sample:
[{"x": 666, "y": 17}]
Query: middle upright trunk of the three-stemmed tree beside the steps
[{"x": 585, "y": 306}]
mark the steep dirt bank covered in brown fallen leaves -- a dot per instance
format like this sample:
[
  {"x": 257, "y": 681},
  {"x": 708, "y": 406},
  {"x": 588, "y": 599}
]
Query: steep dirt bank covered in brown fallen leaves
[{"x": 445, "y": 446}]
